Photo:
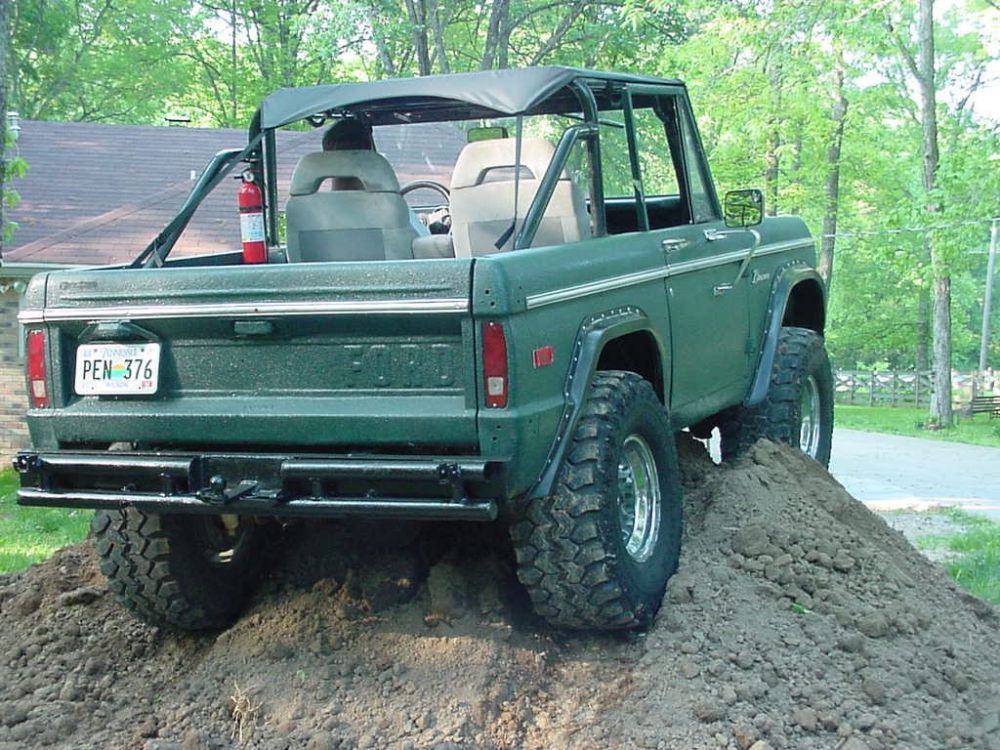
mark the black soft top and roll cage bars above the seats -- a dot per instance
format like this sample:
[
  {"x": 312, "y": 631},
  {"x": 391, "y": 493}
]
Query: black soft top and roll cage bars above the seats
[{"x": 493, "y": 94}]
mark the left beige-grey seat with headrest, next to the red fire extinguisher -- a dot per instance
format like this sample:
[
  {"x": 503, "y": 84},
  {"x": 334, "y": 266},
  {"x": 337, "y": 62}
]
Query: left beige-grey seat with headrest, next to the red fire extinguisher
[{"x": 367, "y": 221}]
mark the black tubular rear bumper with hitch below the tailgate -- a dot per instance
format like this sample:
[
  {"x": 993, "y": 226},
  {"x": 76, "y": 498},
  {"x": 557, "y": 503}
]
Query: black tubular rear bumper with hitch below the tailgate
[{"x": 282, "y": 486}]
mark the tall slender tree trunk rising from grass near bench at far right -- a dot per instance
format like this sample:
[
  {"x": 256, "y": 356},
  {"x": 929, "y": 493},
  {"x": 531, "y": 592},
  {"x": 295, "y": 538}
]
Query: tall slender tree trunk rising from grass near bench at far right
[{"x": 941, "y": 403}]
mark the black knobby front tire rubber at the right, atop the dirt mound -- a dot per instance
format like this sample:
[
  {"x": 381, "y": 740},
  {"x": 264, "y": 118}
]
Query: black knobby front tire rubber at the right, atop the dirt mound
[{"x": 801, "y": 355}]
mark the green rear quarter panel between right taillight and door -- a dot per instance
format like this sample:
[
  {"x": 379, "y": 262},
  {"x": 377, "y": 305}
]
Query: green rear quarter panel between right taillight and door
[{"x": 544, "y": 297}]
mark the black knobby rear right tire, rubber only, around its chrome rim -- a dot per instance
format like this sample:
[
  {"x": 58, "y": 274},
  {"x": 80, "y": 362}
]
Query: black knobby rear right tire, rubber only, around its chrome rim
[{"x": 571, "y": 554}]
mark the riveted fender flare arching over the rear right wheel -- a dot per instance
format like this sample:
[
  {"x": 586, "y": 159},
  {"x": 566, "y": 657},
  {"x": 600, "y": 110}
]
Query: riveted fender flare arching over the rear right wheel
[{"x": 594, "y": 333}]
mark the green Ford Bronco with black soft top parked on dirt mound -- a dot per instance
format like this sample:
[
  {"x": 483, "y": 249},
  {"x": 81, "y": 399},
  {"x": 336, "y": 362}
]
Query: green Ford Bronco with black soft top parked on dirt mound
[{"x": 520, "y": 344}]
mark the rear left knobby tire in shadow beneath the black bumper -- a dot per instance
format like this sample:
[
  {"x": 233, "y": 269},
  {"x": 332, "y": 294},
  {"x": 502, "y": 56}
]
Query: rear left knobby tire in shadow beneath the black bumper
[{"x": 191, "y": 572}]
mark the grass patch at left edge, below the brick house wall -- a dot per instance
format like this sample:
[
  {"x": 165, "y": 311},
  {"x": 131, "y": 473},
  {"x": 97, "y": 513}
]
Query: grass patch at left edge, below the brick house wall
[{"x": 30, "y": 535}]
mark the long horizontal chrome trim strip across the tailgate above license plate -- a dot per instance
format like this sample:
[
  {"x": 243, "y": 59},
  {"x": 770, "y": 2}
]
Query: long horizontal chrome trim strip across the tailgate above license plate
[{"x": 248, "y": 310}]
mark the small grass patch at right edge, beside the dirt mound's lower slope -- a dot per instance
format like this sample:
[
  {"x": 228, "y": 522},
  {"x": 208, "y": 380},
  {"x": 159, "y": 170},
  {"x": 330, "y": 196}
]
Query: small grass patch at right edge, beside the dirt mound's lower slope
[{"x": 975, "y": 550}]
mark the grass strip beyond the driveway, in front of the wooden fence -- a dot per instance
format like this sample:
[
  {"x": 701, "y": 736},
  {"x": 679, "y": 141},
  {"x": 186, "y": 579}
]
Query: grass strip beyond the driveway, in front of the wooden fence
[{"x": 904, "y": 420}]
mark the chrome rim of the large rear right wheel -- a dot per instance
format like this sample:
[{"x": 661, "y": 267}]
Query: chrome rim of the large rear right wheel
[{"x": 638, "y": 499}]
